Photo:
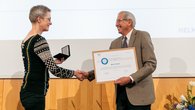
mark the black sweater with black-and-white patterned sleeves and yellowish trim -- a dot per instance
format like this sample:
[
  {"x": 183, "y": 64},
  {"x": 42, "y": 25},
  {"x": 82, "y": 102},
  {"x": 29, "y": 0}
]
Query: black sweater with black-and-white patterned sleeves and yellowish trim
[{"x": 37, "y": 61}]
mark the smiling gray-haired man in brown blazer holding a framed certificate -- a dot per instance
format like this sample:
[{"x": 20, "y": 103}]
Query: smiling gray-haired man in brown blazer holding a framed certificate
[{"x": 136, "y": 91}]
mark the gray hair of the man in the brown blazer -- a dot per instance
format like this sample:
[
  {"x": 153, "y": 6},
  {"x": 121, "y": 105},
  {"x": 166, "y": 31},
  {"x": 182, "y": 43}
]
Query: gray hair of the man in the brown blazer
[{"x": 129, "y": 15}]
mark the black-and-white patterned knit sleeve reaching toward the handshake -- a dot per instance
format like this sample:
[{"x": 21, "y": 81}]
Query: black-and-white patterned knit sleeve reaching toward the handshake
[{"x": 41, "y": 48}]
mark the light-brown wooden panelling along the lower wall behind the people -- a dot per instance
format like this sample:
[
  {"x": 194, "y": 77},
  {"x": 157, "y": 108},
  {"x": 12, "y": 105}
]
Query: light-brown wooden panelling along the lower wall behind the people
[{"x": 71, "y": 94}]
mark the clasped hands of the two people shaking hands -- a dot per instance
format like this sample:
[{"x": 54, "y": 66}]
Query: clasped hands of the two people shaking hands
[{"x": 81, "y": 75}]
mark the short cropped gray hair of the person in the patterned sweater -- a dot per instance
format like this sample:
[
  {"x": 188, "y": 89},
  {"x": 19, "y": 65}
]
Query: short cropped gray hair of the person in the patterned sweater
[{"x": 38, "y": 11}]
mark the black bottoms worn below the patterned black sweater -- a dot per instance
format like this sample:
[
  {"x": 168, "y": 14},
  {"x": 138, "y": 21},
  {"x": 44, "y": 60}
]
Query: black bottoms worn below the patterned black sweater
[{"x": 32, "y": 101}]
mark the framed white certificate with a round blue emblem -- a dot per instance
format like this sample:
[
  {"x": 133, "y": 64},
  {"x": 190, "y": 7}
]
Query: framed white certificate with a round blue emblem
[{"x": 112, "y": 64}]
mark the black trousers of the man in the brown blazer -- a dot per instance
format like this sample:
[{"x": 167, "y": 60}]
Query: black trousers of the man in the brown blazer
[{"x": 123, "y": 103}]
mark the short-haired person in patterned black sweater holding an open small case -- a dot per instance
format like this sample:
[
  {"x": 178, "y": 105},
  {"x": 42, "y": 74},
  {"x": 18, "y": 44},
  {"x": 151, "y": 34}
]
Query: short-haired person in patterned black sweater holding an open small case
[{"x": 38, "y": 61}]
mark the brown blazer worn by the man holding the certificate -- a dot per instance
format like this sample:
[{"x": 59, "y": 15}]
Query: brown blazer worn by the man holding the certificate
[{"x": 141, "y": 92}]
